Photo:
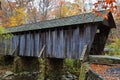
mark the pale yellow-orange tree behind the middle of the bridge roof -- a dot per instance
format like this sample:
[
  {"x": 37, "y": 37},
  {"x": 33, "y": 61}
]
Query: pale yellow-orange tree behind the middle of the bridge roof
[{"x": 67, "y": 9}]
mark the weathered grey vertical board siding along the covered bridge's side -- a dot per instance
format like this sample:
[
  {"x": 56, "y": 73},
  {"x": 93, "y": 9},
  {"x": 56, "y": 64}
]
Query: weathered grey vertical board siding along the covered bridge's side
[{"x": 63, "y": 42}]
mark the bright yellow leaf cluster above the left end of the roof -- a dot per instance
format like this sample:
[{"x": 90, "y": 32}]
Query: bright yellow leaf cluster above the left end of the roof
[{"x": 18, "y": 18}]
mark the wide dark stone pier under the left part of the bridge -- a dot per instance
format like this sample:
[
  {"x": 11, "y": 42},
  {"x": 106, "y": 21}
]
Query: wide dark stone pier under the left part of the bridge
[{"x": 22, "y": 64}]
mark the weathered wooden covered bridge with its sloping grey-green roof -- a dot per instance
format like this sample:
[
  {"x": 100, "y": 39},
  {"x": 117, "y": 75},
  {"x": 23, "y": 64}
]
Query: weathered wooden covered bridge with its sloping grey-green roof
[{"x": 68, "y": 37}]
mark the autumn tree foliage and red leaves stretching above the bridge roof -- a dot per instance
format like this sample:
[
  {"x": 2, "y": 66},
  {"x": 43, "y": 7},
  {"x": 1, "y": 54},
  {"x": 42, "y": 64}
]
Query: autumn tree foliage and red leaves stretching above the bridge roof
[{"x": 25, "y": 11}]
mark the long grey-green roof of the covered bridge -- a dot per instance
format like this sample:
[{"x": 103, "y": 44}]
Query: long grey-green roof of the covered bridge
[{"x": 73, "y": 20}]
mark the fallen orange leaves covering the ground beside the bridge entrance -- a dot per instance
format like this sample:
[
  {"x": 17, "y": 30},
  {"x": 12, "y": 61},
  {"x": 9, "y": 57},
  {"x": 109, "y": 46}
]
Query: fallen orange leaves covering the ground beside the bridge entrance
[{"x": 102, "y": 71}]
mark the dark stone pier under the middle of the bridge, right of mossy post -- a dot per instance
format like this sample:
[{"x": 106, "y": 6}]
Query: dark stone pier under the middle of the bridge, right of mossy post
[{"x": 54, "y": 69}]
